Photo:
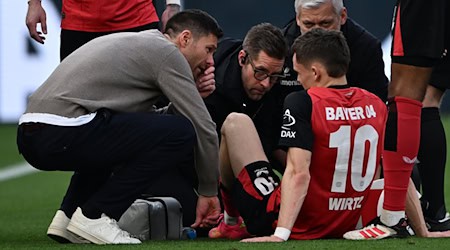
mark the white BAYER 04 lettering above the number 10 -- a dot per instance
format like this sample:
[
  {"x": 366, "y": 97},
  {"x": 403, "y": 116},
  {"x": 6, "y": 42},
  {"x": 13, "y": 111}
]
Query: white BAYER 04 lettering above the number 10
[{"x": 353, "y": 113}]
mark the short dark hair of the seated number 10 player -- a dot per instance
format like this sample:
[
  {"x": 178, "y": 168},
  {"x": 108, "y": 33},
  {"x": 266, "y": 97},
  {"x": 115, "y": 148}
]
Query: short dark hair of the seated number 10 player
[{"x": 329, "y": 47}]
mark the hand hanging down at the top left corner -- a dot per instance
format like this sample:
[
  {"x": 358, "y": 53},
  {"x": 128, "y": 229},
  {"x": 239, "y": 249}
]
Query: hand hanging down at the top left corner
[{"x": 36, "y": 14}]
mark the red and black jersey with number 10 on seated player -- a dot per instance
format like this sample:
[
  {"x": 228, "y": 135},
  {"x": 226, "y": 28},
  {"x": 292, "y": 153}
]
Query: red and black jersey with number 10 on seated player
[{"x": 344, "y": 130}]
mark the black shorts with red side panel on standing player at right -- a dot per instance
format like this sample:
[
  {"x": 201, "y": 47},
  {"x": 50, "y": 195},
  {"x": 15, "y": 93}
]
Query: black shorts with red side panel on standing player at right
[{"x": 420, "y": 32}]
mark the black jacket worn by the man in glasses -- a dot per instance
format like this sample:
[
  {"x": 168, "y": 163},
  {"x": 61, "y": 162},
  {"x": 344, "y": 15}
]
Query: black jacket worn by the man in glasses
[{"x": 230, "y": 96}]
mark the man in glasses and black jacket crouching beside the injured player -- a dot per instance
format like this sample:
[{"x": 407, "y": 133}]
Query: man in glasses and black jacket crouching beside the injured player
[{"x": 245, "y": 72}]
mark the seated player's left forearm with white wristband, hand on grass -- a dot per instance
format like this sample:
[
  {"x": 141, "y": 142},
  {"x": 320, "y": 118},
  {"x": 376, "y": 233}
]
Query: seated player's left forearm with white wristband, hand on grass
[{"x": 294, "y": 188}]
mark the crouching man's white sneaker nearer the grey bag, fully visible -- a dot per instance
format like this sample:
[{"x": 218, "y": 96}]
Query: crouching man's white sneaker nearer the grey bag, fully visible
[{"x": 99, "y": 231}]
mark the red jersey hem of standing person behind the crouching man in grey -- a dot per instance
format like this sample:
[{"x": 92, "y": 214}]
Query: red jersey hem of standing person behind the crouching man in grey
[{"x": 106, "y": 15}]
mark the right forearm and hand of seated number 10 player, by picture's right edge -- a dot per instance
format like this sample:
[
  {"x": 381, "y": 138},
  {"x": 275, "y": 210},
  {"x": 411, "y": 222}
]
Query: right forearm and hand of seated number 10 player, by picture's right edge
[{"x": 415, "y": 215}]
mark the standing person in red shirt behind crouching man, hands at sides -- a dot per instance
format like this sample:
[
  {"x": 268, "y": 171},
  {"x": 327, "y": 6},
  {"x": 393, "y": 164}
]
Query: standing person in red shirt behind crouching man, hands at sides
[{"x": 82, "y": 21}]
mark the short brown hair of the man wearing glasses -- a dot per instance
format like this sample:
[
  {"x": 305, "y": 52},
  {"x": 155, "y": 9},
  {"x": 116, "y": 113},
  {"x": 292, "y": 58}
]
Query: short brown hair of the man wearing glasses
[{"x": 268, "y": 38}]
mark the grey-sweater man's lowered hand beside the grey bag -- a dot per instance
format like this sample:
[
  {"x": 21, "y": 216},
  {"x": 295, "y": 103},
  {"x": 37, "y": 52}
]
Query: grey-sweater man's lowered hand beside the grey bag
[{"x": 208, "y": 211}]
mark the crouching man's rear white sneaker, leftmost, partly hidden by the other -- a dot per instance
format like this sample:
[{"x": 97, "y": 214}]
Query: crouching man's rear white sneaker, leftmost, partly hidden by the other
[{"x": 58, "y": 230}]
